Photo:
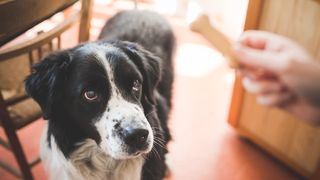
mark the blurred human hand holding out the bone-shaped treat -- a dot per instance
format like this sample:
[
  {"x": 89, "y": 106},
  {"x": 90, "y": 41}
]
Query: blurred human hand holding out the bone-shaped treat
[{"x": 281, "y": 73}]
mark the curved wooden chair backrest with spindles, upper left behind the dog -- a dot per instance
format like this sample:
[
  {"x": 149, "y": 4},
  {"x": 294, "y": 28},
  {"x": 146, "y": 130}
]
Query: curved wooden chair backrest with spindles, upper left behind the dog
[{"x": 16, "y": 17}]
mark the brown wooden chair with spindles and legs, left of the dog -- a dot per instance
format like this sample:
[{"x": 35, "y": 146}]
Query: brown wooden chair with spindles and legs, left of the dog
[{"x": 16, "y": 109}]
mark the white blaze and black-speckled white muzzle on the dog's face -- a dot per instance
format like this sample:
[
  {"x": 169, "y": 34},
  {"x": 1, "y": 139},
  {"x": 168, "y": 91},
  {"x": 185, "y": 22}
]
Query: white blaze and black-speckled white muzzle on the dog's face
[{"x": 118, "y": 109}]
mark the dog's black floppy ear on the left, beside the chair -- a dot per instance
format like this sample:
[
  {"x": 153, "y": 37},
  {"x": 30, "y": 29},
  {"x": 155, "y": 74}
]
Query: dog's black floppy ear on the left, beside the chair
[{"x": 46, "y": 80}]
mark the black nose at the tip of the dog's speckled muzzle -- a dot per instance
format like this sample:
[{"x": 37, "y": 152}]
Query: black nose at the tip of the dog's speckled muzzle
[{"x": 136, "y": 138}]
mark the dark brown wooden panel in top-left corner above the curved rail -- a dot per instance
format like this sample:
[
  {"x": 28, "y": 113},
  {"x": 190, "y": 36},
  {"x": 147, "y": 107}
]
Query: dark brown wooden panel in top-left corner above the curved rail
[{"x": 16, "y": 16}]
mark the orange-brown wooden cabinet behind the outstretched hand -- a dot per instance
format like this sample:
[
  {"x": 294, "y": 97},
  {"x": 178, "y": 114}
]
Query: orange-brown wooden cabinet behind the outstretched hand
[{"x": 287, "y": 138}]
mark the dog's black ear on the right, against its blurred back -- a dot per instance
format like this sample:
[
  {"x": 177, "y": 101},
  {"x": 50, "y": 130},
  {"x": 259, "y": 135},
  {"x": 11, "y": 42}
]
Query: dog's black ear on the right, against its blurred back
[{"x": 148, "y": 64}]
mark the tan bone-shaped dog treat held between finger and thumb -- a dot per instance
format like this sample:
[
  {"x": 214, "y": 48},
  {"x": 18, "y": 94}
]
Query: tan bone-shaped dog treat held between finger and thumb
[{"x": 218, "y": 39}]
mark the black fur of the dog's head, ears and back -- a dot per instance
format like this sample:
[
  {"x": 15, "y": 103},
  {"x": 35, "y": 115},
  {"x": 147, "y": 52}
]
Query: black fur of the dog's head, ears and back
[{"x": 57, "y": 83}]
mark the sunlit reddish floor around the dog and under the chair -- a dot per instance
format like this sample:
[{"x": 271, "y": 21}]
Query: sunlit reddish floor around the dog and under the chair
[{"x": 204, "y": 146}]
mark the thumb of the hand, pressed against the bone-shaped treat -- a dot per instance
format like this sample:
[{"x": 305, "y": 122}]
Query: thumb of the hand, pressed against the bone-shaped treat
[{"x": 258, "y": 58}]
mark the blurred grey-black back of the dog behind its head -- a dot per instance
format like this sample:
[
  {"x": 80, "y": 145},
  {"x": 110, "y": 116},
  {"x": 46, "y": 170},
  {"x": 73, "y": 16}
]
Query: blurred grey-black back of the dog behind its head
[{"x": 153, "y": 33}]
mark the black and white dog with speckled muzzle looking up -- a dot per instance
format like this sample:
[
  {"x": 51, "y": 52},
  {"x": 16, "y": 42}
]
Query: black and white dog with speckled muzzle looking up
[{"x": 107, "y": 102}]
